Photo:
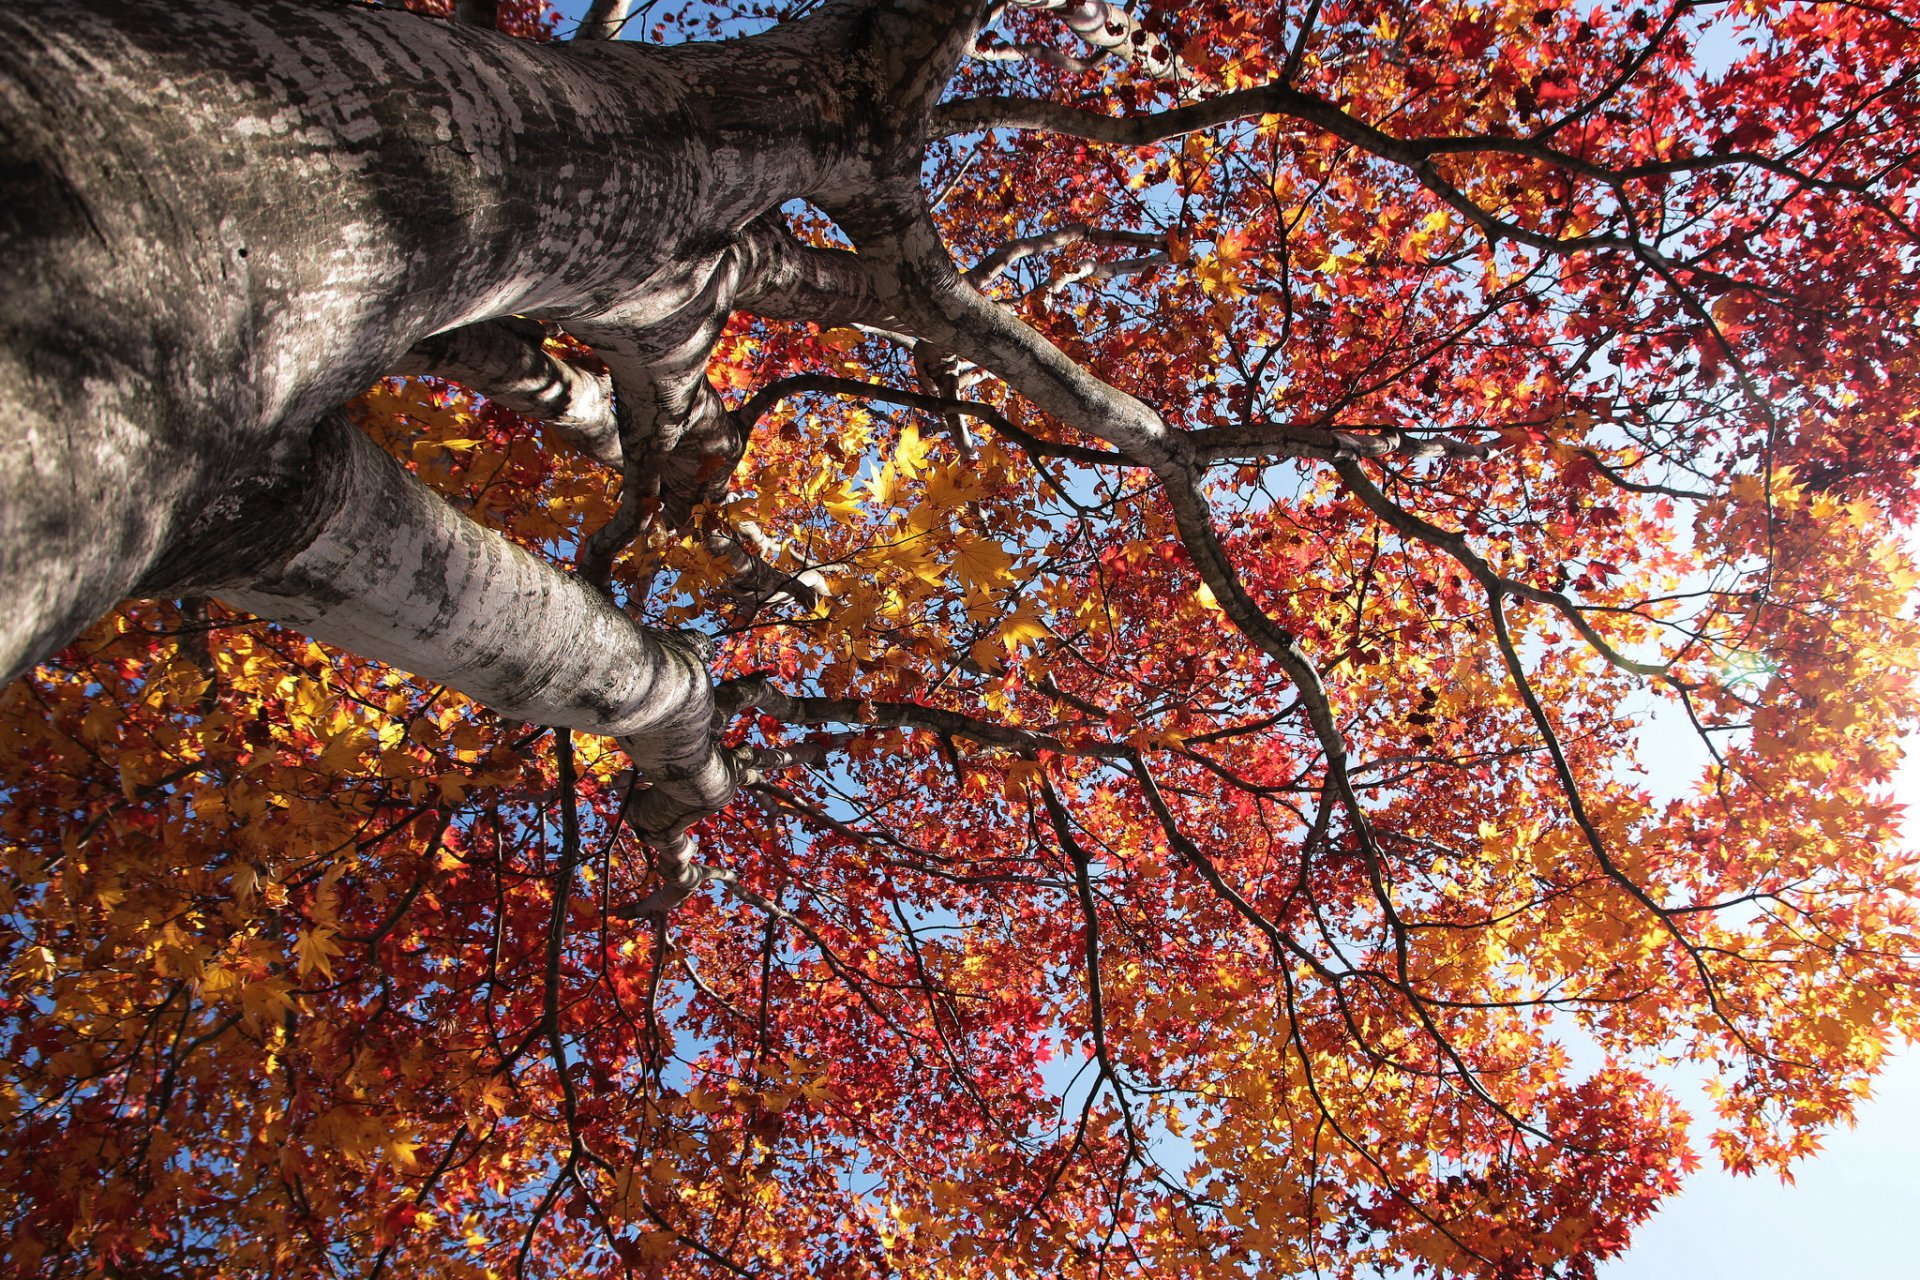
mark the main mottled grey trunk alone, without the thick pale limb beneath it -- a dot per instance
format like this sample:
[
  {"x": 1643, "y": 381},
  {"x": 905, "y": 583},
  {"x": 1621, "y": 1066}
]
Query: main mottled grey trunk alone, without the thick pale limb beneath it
[{"x": 226, "y": 220}]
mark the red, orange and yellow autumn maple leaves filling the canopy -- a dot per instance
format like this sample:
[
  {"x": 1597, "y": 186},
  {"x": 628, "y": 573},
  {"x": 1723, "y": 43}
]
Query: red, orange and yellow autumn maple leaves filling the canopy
[{"x": 1067, "y": 949}]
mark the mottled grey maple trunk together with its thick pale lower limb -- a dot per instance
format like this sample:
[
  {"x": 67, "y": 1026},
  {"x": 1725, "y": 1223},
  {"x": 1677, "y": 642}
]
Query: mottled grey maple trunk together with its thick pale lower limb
[{"x": 226, "y": 220}]
